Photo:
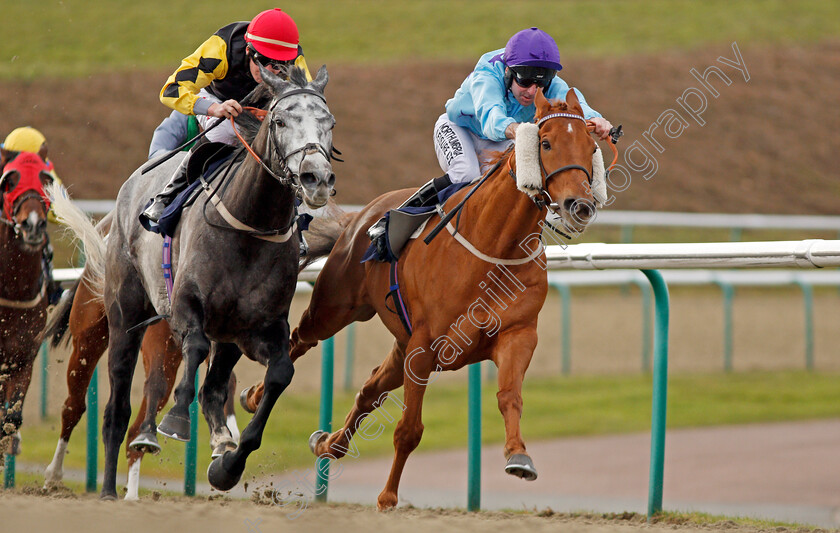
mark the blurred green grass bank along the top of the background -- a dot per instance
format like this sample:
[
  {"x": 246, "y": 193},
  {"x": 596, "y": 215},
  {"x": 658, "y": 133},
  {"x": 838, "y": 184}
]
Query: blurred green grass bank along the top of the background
[{"x": 78, "y": 38}]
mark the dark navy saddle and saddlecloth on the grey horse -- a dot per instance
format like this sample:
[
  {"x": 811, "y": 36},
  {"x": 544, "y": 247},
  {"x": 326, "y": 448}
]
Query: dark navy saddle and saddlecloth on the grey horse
[{"x": 206, "y": 160}]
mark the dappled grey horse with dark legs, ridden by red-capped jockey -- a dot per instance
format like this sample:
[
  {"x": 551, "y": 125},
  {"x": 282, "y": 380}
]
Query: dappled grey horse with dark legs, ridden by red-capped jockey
[{"x": 235, "y": 262}]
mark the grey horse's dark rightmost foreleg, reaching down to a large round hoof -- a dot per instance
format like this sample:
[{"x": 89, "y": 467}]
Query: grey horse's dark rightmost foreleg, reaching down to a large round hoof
[{"x": 225, "y": 471}]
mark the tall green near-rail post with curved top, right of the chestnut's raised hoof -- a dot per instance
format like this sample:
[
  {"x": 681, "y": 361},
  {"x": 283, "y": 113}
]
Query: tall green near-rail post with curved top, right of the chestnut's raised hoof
[{"x": 660, "y": 391}]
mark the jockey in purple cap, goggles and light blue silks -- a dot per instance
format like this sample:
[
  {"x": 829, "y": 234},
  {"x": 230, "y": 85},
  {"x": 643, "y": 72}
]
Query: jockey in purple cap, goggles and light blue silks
[{"x": 492, "y": 101}]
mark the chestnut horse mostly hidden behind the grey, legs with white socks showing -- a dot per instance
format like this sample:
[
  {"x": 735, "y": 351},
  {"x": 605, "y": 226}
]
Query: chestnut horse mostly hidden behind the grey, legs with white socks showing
[{"x": 82, "y": 313}]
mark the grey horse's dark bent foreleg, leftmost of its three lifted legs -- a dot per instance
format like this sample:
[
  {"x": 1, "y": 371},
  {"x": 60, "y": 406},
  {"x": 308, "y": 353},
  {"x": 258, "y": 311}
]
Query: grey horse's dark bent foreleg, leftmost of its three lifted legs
[{"x": 195, "y": 348}]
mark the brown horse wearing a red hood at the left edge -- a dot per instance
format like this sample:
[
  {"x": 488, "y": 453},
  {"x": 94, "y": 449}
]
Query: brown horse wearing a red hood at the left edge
[{"x": 23, "y": 285}]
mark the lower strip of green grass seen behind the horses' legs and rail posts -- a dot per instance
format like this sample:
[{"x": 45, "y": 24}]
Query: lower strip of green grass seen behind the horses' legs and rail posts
[{"x": 554, "y": 407}]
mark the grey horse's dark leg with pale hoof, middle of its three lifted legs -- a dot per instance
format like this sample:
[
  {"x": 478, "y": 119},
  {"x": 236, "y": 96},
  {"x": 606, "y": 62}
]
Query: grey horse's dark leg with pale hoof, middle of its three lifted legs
[{"x": 214, "y": 395}]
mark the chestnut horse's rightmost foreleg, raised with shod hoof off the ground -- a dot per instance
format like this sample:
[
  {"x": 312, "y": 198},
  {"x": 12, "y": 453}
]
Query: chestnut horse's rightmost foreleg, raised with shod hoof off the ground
[{"x": 512, "y": 354}]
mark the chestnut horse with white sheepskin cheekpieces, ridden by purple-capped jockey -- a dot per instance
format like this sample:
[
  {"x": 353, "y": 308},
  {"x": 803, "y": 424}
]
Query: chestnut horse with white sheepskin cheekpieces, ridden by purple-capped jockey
[{"x": 467, "y": 298}]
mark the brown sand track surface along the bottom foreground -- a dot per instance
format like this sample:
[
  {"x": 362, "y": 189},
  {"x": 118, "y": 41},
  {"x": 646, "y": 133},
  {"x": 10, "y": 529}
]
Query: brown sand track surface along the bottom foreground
[{"x": 88, "y": 514}]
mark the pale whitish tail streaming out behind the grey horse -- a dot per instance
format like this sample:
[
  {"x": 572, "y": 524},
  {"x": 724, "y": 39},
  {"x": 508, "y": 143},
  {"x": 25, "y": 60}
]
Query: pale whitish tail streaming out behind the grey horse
[{"x": 70, "y": 215}]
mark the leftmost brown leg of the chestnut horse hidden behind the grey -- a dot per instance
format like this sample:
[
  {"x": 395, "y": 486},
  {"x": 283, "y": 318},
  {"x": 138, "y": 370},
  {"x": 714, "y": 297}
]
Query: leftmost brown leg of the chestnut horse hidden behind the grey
[{"x": 89, "y": 331}]
